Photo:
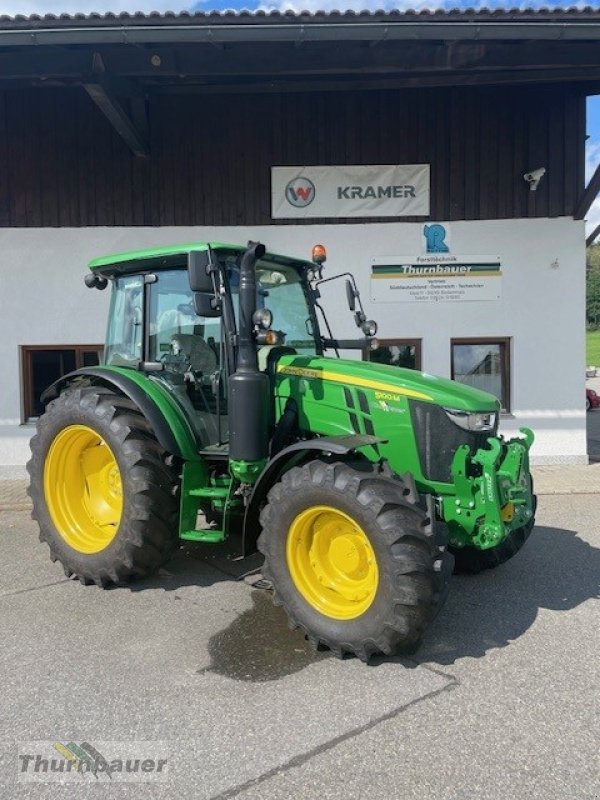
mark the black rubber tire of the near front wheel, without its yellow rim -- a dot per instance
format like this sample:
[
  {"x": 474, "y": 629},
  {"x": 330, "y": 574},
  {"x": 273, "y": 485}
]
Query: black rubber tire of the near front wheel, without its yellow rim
[{"x": 411, "y": 564}]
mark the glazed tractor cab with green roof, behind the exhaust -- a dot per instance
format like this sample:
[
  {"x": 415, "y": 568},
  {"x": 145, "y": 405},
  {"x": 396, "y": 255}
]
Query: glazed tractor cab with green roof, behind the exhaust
[{"x": 187, "y": 340}]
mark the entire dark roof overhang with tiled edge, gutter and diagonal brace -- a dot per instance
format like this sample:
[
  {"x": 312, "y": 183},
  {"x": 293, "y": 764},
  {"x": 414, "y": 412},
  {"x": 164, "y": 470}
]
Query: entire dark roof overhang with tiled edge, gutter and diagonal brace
[{"x": 120, "y": 60}]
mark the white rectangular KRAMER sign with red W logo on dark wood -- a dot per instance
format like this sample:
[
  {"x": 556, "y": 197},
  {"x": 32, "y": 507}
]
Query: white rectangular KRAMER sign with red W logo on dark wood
[{"x": 400, "y": 190}]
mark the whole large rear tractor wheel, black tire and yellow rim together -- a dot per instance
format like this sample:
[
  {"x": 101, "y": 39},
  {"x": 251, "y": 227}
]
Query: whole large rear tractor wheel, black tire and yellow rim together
[{"x": 102, "y": 487}]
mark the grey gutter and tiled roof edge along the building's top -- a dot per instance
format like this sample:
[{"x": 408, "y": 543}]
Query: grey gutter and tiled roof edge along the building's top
[{"x": 229, "y": 27}]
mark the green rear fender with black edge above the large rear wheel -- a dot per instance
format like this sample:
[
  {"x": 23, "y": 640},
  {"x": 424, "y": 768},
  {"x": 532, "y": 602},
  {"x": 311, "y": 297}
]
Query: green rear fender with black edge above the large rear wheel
[{"x": 171, "y": 428}]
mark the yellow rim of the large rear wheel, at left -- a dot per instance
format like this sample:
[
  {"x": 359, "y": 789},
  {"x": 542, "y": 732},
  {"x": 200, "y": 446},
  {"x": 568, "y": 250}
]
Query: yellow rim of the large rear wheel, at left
[{"x": 82, "y": 487}]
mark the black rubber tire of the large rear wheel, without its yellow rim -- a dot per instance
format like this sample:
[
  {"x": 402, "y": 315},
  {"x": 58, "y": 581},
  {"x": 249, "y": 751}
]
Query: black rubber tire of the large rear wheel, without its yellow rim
[{"x": 147, "y": 530}]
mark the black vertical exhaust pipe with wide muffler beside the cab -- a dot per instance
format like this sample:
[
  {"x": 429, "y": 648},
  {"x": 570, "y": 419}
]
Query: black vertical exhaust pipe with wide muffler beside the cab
[{"x": 249, "y": 389}]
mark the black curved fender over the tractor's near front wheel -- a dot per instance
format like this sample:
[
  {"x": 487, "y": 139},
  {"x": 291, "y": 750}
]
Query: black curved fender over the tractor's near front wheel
[{"x": 285, "y": 460}]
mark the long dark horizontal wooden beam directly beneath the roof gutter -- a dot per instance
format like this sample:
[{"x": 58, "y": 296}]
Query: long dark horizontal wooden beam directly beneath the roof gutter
[{"x": 279, "y": 58}]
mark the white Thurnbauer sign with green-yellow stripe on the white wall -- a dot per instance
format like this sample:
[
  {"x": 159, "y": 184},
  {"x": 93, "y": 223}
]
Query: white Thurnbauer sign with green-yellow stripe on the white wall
[{"x": 435, "y": 278}]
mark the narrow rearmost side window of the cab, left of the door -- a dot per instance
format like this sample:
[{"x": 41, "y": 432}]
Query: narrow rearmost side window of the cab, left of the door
[{"x": 125, "y": 330}]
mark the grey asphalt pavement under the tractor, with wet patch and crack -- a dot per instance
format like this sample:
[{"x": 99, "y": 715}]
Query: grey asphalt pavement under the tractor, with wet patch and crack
[{"x": 502, "y": 700}]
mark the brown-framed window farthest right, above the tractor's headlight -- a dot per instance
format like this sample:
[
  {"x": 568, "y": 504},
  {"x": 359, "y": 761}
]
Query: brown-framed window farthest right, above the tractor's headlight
[{"x": 484, "y": 364}]
